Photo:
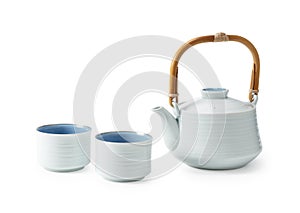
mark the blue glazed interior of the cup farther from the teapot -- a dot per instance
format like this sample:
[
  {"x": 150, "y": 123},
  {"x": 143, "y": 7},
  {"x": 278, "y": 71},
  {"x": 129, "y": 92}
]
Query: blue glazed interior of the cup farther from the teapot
[{"x": 63, "y": 129}]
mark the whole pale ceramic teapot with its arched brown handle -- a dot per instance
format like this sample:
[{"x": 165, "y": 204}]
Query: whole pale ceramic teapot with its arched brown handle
[{"x": 215, "y": 131}]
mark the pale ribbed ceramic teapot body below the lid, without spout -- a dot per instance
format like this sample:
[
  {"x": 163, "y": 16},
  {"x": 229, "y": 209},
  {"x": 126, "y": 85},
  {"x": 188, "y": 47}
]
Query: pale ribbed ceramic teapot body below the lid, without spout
[{"x": 218, "y": 141}]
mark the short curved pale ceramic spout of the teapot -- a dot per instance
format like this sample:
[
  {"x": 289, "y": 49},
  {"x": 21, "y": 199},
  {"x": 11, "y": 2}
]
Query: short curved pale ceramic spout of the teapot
[{"x": 171, "y": 132}]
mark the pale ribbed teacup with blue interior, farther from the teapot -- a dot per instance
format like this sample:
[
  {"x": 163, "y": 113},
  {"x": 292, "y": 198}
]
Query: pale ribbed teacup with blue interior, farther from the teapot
[{"x": 63, "y": 147}]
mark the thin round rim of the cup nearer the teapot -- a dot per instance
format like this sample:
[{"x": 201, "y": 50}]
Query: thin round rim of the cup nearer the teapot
[{"x": 149, "y": 137}]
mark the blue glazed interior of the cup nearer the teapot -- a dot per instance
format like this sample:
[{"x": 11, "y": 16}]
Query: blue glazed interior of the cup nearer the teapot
[{"x": 123, "y": 137}]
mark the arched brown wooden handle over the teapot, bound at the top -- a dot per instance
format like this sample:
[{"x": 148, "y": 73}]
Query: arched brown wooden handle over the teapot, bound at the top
[{"x": 214, "y": 38}]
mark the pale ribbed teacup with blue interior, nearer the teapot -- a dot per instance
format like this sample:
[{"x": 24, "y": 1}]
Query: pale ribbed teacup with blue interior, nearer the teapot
[{"x": 123, "y": 156}]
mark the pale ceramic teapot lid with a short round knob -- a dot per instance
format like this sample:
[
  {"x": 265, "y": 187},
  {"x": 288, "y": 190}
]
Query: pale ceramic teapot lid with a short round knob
[{"x": 215, "y": 101}]
